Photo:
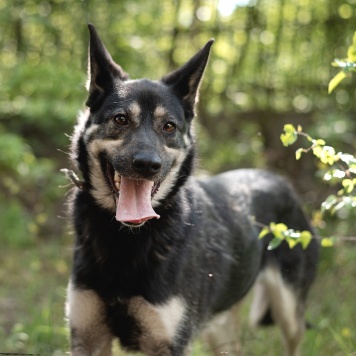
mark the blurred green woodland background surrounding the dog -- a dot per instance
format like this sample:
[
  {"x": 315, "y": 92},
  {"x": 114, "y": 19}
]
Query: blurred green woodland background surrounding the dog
[{"x": 270, "y": 65}]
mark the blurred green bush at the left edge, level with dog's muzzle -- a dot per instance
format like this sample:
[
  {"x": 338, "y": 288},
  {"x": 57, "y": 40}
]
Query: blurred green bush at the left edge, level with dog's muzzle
[{"x": 27, "y": 185}]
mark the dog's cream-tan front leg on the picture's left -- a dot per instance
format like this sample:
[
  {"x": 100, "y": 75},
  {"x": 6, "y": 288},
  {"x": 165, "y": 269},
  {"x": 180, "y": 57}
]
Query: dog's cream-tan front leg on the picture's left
[{"x": 86, "y": 314}]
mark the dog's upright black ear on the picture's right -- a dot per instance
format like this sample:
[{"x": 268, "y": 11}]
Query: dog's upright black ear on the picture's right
[{"x": 185, "y": 81}]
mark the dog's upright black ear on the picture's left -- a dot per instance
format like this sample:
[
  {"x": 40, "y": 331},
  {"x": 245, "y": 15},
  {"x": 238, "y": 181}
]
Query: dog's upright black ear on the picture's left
[{"x": 103, "y": 72}]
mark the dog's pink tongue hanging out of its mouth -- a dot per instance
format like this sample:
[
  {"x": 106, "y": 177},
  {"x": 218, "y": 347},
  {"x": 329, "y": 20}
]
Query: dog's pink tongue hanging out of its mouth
[{"x": 134, "y": 202}]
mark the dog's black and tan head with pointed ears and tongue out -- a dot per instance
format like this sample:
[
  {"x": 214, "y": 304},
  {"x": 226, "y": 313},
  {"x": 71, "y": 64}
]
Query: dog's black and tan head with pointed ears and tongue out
[{"x": 132, "y": 143}]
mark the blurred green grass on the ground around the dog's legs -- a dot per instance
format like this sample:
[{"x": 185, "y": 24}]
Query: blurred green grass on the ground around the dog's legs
[{"x": 32, "y": 293}]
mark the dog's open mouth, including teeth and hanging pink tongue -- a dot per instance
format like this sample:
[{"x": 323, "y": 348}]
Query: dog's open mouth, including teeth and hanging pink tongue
[{"x": 133, "y": 197}]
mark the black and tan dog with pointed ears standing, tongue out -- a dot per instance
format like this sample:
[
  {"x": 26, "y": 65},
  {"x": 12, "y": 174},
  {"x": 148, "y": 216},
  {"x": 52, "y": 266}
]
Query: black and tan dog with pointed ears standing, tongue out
[{"x": 158, "y": 253}]
